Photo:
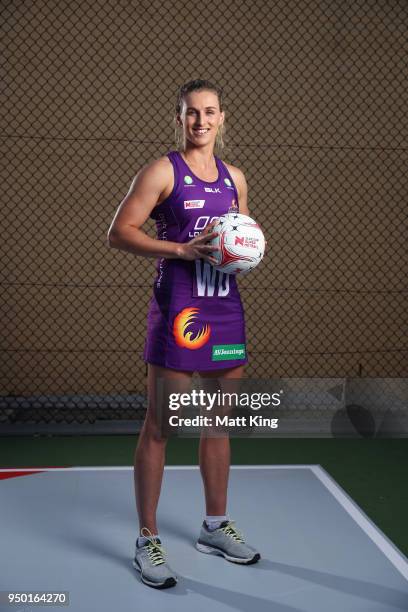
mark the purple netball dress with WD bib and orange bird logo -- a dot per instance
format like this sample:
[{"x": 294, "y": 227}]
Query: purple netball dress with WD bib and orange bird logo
[{"x": 196, "y": 318}]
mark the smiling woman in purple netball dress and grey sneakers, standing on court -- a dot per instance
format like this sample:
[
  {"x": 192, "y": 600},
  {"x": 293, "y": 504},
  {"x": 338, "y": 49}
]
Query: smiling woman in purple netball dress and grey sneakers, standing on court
[{"x": 194, "y": 309}]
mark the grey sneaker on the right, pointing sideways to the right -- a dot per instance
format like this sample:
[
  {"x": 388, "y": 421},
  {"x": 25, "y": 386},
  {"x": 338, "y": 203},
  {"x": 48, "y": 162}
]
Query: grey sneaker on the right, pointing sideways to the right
[{"x": 228, "y": 542}]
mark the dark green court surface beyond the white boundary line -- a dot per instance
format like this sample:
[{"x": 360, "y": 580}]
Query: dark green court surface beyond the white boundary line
[{"x": 373, "y": 472}]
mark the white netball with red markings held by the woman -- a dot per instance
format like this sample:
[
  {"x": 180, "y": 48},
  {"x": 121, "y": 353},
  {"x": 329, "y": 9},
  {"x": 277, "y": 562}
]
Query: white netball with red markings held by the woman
[{"x": 241, "y": 242}]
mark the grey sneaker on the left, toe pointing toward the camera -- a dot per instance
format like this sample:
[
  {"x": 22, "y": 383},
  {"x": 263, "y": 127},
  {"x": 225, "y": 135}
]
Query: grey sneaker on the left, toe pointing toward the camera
[{"x": 150, "y": 561}]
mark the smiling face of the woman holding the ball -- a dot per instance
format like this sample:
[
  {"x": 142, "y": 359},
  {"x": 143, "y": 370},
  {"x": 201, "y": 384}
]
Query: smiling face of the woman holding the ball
[{"x": 201, "y": 117}]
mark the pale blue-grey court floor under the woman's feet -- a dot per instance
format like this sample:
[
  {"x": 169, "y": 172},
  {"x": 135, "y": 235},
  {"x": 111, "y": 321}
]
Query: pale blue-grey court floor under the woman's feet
[{"x": 73, "y": 529}]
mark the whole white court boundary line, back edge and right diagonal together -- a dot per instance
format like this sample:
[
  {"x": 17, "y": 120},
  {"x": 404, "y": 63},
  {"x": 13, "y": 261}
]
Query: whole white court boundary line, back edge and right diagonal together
[{"x": 389, "y": 550}]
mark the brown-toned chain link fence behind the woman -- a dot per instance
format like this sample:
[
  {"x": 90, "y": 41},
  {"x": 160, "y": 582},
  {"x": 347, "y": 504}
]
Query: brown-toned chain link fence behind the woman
[{"x": 316, "y": 116}]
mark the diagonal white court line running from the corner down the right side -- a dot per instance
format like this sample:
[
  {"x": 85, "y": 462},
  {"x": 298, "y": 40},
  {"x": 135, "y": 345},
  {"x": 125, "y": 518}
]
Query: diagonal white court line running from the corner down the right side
[{"x": 389, "y": 550}]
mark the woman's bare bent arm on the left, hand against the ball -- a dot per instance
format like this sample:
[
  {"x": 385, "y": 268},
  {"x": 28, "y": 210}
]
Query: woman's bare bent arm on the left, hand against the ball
[{"x": 125, "y": 231}]
